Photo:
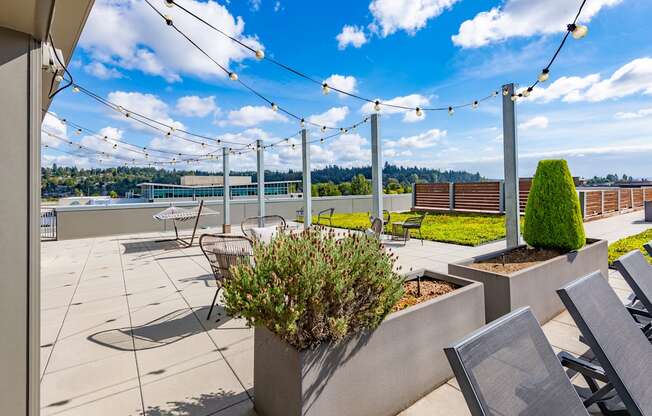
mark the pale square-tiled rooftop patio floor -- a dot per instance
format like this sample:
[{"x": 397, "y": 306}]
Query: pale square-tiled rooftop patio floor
[{"x": 124, "y": 329}]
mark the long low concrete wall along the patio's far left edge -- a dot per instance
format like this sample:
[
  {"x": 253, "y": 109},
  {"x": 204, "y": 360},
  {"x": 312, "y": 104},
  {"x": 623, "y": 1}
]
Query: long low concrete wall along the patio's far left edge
[{"x": 96, "y": 221}]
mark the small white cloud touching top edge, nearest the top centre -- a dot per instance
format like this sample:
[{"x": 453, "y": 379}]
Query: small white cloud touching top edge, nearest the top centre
[{"x": 408, "y": 15}]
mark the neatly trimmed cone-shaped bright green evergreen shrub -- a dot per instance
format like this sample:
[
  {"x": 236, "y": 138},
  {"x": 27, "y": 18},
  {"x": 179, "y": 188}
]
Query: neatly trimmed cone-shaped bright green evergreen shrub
[{"x": 553, "y": 217}]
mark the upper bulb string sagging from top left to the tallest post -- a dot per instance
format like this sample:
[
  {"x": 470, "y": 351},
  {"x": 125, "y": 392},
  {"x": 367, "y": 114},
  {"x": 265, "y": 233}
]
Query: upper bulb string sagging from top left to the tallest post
[{"x": 325, "y": 87}]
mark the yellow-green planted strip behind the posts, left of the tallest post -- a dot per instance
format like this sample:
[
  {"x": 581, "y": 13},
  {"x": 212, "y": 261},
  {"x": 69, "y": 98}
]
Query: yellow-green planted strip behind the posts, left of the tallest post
[{"x": 456, "y": 228}]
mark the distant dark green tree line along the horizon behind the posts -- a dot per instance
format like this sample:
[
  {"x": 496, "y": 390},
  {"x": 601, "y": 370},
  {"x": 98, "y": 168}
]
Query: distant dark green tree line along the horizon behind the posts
[{"x": 61, "y": 181}]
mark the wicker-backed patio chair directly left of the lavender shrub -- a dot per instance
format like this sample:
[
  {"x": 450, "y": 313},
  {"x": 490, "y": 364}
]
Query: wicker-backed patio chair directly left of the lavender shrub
[{"x": 222, "y": 252}]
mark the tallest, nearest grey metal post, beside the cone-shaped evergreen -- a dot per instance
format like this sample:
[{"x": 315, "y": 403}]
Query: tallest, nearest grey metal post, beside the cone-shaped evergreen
[{"x": 510, "y": 160}]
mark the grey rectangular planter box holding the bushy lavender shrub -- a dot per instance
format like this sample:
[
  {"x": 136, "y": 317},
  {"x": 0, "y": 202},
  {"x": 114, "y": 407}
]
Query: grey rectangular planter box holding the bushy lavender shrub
[{"x": 377, "y": 374}]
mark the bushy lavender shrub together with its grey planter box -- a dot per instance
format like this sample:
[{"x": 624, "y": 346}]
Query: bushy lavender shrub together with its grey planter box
[{"x": 338, "y": 331}]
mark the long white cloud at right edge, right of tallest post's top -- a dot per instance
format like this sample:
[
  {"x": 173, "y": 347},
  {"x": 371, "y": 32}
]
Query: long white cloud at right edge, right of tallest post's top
[{"x": 632, "y": 78}]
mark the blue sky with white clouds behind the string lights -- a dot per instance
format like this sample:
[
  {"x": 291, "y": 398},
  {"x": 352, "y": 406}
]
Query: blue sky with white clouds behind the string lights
[{"x": 595, "y": 111}]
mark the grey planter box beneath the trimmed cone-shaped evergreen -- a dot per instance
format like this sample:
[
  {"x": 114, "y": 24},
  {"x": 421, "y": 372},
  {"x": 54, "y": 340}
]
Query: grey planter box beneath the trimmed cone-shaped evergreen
[{"x": 534, "y": 286}]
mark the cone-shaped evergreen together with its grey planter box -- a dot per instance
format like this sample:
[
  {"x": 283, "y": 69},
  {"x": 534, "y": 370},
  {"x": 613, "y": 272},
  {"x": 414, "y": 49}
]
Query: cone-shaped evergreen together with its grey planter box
[{"x": 557, "y": 251}]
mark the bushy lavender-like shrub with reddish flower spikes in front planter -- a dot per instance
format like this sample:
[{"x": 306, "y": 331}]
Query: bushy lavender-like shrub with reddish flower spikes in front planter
[{"x": 311, "y": 287}]
